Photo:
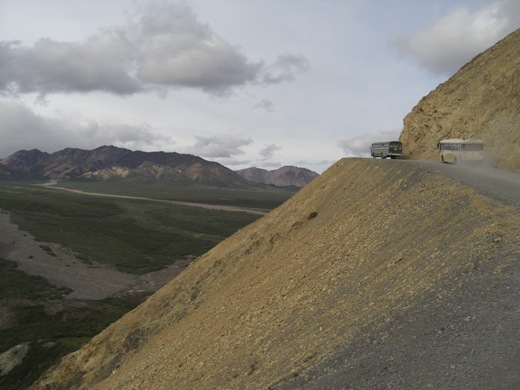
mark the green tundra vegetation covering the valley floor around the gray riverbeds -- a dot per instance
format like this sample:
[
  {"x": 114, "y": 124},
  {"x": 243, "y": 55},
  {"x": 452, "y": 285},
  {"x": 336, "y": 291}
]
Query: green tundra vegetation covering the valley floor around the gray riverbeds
[{"x": 133, "y": 236}]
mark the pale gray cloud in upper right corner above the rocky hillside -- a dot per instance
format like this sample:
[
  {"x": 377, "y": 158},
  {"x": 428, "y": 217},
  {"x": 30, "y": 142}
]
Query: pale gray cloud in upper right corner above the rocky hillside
[{"x": 455, "y": 39}]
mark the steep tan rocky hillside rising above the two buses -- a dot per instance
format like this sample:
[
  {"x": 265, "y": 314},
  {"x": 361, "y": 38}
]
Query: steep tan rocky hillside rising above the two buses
[{"x": 482, "y": 100}]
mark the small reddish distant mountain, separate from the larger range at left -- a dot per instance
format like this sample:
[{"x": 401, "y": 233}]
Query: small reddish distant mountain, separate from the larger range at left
[{"x": 281, "y": 177}]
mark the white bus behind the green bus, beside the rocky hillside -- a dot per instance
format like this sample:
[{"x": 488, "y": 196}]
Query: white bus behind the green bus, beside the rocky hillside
[{"x": 454, "y": 150}]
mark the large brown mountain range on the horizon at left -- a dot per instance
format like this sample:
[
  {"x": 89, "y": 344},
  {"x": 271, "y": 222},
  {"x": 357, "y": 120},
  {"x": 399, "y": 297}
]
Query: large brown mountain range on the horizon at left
[{"x": 110, "y": 163}]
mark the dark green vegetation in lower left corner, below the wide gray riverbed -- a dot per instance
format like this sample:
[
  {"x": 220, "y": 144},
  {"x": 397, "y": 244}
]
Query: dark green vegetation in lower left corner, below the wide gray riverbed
[{"x": 51, "y": 336}]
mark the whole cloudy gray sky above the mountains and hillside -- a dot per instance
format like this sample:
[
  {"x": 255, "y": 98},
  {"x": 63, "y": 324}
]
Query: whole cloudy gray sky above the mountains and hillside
[{"x": 262, "y": 83}]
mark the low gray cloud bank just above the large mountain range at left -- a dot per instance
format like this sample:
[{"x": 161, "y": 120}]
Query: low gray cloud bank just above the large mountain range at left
[{"x": 21, "y": 127}]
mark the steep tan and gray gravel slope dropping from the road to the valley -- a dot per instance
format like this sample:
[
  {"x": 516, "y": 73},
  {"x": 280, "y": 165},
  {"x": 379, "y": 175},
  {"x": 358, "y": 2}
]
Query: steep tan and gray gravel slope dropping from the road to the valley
[{"x": 382, "y": 271}]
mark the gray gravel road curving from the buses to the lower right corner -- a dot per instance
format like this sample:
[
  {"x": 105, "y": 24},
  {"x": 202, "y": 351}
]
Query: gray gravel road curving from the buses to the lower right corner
[{"x": 466, "y": 340}]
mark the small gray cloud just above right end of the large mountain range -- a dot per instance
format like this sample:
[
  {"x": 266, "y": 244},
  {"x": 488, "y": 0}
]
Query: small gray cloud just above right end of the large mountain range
[{"x": 218, "y": 146}]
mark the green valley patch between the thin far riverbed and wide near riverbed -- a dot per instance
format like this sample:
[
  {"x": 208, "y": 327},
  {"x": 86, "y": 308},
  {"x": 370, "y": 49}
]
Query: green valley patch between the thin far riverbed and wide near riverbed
[{"x": 134, "y": 236}]
